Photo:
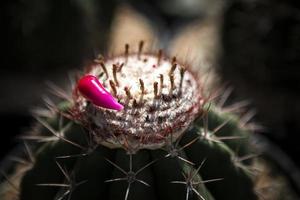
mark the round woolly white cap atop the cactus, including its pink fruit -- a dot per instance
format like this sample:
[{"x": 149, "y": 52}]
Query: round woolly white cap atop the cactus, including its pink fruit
[{"x": 157, "y": 98}]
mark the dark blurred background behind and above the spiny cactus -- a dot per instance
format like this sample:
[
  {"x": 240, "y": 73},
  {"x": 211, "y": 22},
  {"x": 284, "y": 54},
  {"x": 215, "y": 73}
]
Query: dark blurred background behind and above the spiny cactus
[{"x": 253, "y": 46}]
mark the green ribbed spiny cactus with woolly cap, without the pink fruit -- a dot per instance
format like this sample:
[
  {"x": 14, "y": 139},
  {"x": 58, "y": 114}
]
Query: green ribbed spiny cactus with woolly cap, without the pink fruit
[{"x": 169, "y": 141}]
